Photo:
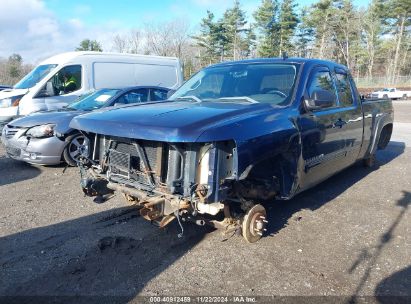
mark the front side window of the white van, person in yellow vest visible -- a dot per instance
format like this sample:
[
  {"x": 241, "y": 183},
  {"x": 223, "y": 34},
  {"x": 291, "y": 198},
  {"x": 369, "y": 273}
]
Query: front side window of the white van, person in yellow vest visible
[{"x": 65, "y": 81}]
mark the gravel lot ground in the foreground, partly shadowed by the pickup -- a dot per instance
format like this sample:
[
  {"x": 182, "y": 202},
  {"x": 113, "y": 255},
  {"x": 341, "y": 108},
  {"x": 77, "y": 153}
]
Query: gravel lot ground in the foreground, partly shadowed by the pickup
[{"x": 348, "y": 236}]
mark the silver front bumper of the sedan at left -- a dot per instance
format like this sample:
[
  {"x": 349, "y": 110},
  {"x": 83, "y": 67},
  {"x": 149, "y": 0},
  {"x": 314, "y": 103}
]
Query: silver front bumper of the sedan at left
[{"x": 42, "y": 151}]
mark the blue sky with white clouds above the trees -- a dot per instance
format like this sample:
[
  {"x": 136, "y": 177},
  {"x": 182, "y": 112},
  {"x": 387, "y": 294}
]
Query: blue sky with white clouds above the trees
[{"x": 37, "y": 29}]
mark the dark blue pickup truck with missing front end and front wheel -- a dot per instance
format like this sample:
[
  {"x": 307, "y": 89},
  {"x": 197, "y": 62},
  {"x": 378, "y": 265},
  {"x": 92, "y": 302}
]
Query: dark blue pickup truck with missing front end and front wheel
[{"x": 232, "y": 139}]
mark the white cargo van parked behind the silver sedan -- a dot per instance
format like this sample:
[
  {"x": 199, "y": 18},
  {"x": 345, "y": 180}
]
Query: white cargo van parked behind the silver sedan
[{"x": 60, "y": 79}]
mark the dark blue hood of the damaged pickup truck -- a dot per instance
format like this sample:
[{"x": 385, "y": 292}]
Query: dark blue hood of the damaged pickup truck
[{"x": 174, "y": 121}]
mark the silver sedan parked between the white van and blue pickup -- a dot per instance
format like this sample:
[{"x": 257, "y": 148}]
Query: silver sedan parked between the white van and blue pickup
[{"x": 45, "y": 138}]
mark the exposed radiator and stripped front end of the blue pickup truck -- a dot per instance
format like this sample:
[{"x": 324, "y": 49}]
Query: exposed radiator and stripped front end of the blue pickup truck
[{"x": 190, "y": 181}]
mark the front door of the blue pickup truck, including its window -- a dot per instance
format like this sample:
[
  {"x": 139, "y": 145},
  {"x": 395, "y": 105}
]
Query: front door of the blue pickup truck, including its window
[{"x": 324, "y": 136}]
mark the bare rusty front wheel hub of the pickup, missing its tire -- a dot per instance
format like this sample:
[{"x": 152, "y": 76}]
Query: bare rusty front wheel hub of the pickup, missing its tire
[{"x": 254, "y": 223}]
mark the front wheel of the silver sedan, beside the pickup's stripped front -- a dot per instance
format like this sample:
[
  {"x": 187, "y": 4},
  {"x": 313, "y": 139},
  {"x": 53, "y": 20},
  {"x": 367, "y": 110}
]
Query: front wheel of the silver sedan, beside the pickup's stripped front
[{"x": 76, "y": 145}]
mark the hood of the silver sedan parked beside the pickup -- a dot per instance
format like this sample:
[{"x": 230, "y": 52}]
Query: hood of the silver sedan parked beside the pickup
[{"x": 60, "y": 117}]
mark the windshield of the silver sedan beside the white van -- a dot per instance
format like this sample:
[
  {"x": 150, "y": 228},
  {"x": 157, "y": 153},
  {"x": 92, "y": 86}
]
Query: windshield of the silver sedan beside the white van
[{"x": 94, "y": 100}]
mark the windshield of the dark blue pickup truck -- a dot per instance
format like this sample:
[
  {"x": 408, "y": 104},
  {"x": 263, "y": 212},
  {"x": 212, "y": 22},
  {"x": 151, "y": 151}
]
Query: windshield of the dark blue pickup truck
[{"x": 251, "y": 83}]
